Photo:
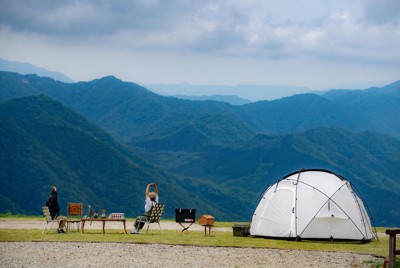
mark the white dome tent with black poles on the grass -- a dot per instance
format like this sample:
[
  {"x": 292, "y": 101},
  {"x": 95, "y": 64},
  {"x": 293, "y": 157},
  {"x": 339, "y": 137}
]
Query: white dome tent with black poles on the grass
[{"x": 312, "y": 204}]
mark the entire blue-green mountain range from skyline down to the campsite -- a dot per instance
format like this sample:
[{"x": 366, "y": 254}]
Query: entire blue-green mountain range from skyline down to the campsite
[{"x": 218, "y": 157}]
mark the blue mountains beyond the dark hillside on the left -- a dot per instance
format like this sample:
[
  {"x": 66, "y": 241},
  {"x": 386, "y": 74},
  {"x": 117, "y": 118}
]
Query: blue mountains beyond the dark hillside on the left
[{"x": 224, "y": 155}]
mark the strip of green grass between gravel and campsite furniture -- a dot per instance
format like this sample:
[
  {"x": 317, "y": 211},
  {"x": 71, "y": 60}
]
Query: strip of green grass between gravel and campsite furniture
[{"x": 378, "y": 248}]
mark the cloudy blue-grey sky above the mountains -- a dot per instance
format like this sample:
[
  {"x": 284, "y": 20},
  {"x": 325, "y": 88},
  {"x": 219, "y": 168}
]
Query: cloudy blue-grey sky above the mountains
[{"x": 318, "y": 44}]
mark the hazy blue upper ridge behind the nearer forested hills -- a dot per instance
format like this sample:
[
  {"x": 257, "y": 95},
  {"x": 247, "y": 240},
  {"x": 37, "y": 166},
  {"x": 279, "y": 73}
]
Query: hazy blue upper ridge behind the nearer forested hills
[{"x": 129, "y": 111}]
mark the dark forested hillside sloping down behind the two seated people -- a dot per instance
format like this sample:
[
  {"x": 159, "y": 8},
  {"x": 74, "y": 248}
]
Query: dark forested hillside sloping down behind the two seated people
[{"x": 43, "y": 143}]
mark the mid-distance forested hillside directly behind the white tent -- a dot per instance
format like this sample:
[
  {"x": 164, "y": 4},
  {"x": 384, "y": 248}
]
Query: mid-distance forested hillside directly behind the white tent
[{"x": 369, "y": 160}]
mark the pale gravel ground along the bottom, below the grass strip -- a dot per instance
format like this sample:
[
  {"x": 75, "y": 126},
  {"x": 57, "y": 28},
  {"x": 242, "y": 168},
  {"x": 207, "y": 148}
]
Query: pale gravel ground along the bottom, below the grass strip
[{"x": 66, "y": 254}]
